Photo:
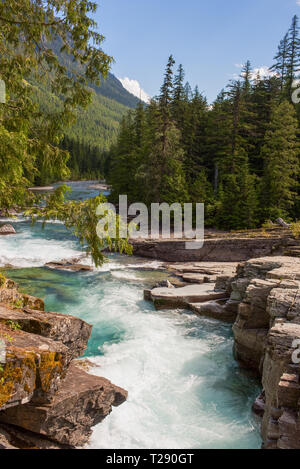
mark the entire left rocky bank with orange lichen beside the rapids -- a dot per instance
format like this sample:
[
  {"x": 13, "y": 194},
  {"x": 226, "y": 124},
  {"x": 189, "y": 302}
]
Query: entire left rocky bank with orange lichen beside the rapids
[{"x": 46, "y": 399}]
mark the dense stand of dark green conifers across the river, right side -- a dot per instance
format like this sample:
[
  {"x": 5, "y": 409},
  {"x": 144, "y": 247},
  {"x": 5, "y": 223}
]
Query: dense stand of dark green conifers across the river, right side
[{"x": 240, "y": 156}]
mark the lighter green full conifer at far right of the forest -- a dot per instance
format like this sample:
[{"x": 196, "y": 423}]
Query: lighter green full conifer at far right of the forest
[{"x": 281, "y": 163}]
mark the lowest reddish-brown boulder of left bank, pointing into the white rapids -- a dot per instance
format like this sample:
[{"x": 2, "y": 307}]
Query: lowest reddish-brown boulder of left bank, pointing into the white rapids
[{"x": 82, "y": 402}]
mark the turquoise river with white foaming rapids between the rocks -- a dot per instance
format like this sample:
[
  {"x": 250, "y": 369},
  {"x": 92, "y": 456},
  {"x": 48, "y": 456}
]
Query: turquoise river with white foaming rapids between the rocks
[{"x": 185, "y": 389}]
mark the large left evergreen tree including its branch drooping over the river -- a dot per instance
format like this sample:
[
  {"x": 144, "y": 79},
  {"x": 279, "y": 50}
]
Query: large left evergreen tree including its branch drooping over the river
[{"x": 51, "y": 46}]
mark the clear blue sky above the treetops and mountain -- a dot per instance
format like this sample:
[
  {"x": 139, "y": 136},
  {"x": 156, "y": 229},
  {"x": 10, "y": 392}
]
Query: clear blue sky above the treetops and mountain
[{"x": 209, "y": 37}]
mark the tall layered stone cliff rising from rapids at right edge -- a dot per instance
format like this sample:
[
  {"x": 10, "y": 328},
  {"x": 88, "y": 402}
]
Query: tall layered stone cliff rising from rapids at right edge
[{"x": 267, "y": 339}]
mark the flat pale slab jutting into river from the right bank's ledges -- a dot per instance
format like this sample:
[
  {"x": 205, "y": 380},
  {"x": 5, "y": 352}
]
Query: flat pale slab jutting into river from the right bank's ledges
[{"x": 164, "y": 298}]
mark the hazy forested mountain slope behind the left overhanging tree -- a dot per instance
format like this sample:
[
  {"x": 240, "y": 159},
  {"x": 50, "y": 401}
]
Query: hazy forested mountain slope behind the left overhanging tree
[{"x": 96, "y": 127}]
